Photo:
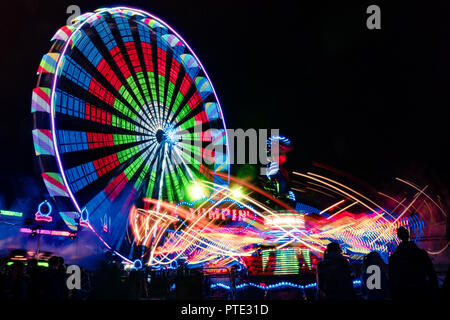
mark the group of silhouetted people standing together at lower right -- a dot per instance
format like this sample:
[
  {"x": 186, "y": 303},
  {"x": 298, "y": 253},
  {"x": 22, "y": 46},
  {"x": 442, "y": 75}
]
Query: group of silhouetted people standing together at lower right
[{"x": 409, "y": 275}]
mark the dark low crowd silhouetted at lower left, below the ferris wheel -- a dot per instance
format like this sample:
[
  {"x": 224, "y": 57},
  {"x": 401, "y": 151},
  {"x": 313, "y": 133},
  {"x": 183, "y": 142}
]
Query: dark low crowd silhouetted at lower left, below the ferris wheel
[{"x": 20, "y": 281}]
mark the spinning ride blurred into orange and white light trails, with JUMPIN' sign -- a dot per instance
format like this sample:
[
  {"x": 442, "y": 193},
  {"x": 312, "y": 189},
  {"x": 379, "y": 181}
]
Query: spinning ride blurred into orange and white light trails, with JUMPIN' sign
[{"x": 243, "y": 231}]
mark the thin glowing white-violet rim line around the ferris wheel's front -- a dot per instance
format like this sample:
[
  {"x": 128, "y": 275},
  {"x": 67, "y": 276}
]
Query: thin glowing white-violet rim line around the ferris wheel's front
[{"x": 59, "y": 64}]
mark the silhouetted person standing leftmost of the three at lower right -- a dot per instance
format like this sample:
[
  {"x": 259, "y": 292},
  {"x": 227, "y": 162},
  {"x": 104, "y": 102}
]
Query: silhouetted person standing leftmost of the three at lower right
[{"x": 334, "y": 281}]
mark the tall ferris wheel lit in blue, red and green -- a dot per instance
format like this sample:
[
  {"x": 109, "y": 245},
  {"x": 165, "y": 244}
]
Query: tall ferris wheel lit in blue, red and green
[{"x": 124, "y": 110}]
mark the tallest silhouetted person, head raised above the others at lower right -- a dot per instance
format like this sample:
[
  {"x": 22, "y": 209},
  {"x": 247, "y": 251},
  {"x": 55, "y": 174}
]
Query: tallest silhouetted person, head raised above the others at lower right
[{"x": 411, "y": 271}]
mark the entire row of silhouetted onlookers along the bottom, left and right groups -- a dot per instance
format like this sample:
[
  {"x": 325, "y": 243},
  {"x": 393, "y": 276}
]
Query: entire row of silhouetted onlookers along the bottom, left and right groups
[{"x": 409, "y": 275}]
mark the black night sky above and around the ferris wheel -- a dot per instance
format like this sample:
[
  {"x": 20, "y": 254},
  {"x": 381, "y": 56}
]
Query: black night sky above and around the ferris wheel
[{"x": 368, "y": 102}]
